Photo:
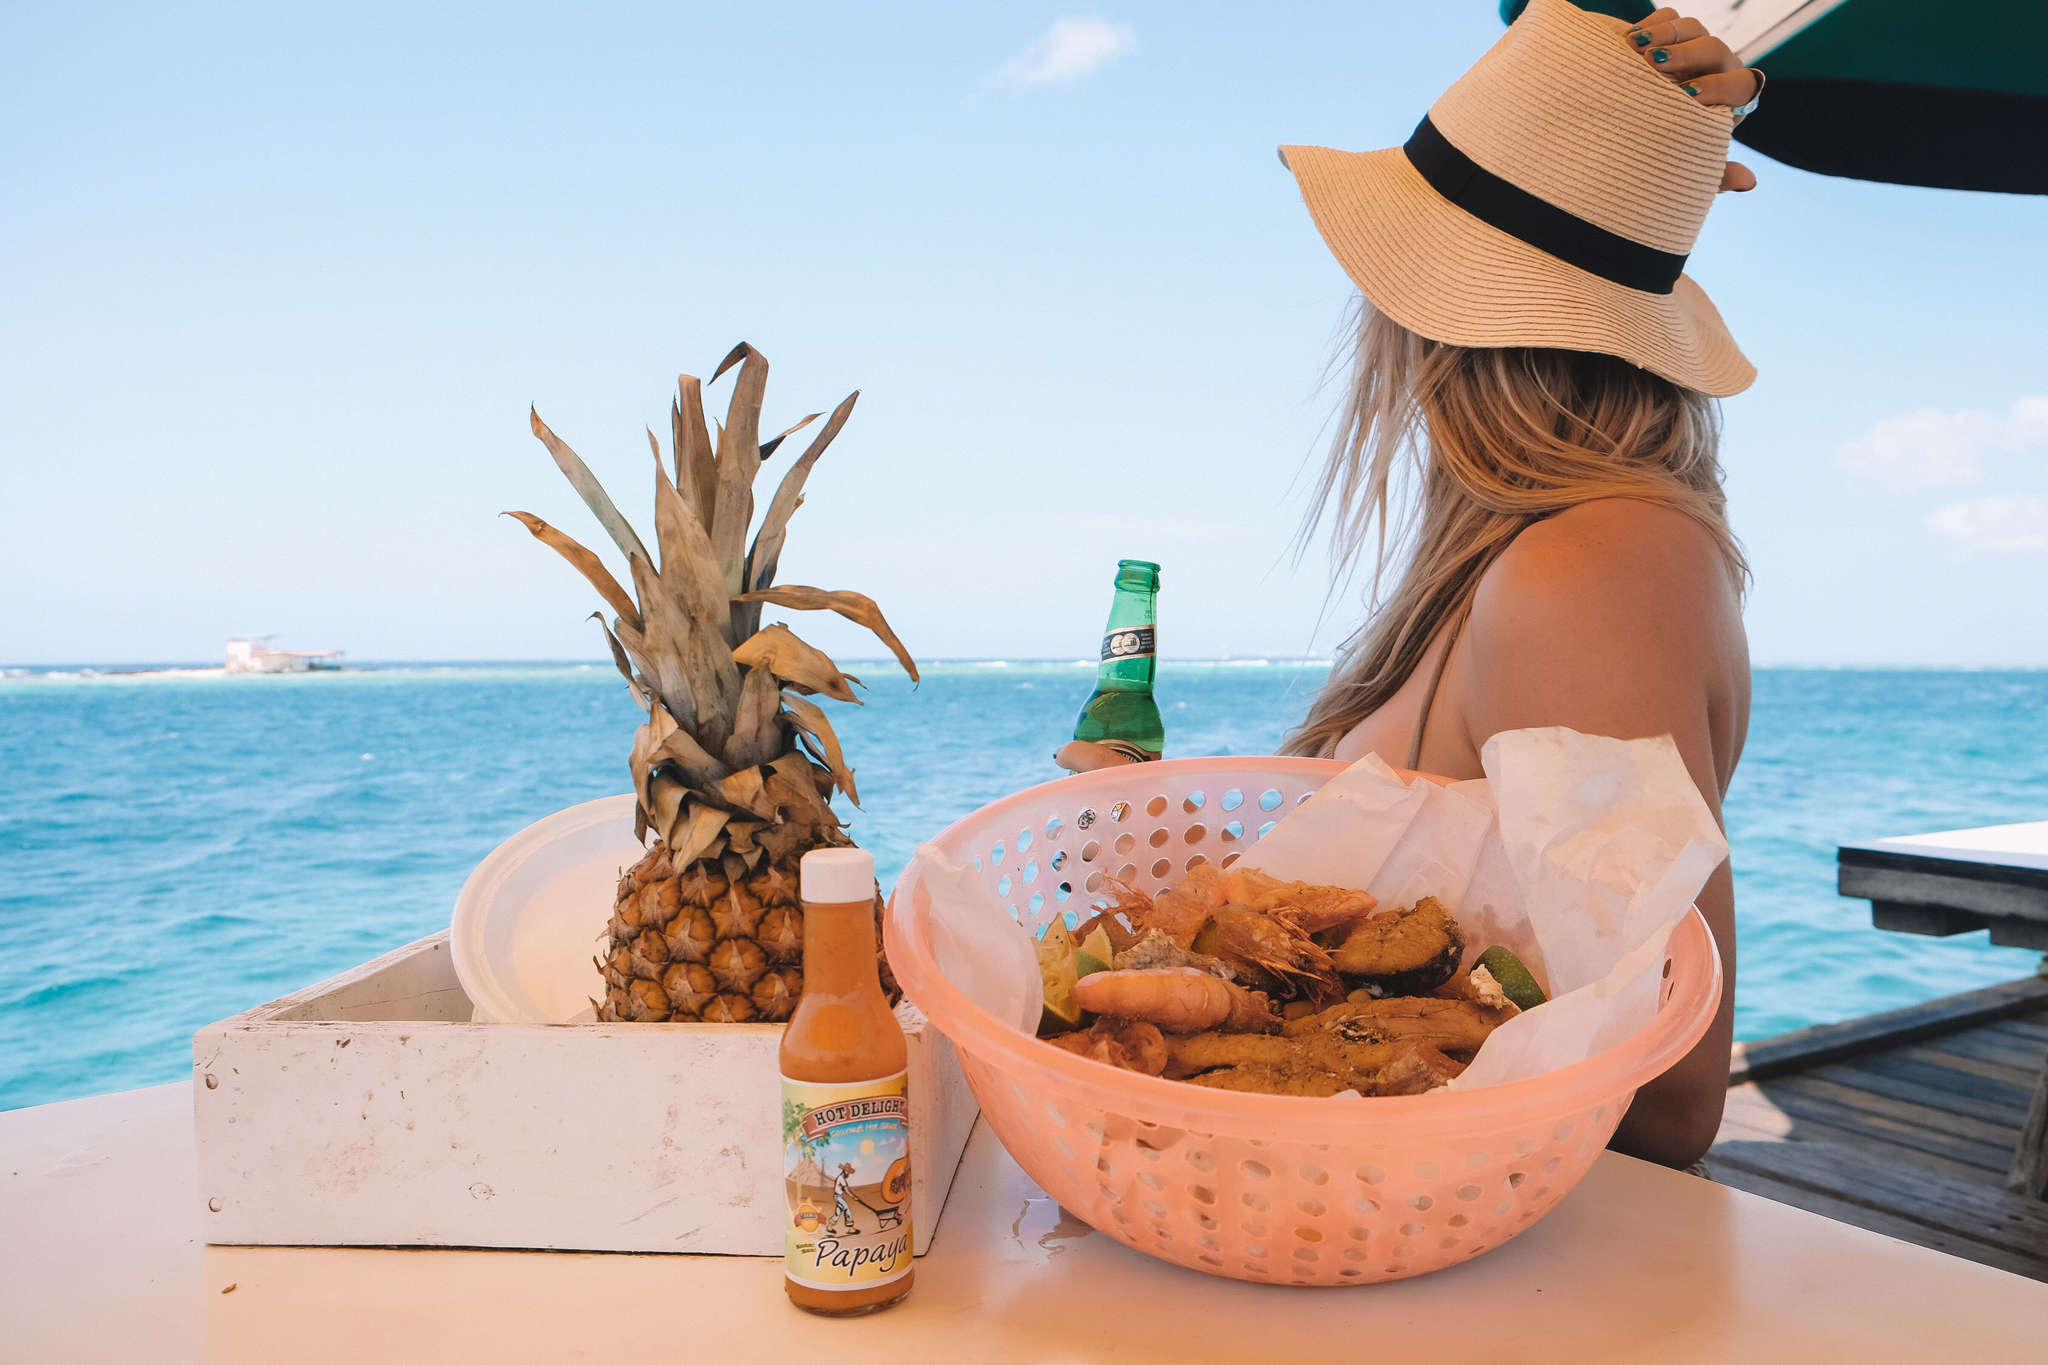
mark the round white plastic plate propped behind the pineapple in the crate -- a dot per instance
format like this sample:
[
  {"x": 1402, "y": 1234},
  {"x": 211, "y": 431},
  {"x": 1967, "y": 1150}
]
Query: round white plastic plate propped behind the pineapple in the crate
[{"x": 529, "y": 918}]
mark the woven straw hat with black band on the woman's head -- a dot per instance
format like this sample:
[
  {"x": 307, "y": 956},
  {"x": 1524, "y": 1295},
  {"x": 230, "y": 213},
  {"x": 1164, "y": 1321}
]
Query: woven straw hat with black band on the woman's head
[{"x": 1519, "y": 218}]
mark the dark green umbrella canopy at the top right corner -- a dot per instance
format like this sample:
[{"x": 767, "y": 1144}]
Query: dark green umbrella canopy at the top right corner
[{"x": 1897, "y": 91}]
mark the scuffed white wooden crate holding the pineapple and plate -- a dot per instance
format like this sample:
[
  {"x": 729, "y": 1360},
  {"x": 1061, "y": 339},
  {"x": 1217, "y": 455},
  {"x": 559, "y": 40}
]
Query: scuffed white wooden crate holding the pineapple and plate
[{"x": 372, "y": 1112}]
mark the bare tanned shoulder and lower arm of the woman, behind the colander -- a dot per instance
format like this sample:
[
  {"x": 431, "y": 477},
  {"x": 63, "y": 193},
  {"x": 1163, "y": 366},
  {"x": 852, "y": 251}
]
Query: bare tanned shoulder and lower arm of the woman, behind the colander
[{"x": 1623, "y": 619}]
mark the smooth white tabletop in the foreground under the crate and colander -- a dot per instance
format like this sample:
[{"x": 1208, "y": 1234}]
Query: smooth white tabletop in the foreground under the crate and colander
[{"x": 103, "y": 1264}]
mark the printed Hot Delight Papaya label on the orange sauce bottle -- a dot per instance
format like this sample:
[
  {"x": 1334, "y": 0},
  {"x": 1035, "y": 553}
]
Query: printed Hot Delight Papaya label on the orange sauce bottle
[{"x": 847, "y": 1174}]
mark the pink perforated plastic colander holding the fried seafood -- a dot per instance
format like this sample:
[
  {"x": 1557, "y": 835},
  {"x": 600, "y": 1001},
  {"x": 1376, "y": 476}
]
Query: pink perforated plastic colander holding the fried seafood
[{"x": 1263, "y": 1188}]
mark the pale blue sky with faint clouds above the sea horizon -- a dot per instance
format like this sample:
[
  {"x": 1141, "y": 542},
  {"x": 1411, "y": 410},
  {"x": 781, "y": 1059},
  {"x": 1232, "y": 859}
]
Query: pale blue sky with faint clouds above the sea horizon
[{"x": 278, "y": 285}]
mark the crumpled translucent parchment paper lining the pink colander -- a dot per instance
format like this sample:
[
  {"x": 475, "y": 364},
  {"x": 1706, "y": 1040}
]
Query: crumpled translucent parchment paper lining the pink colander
[{"x": 1578, "y": 852}]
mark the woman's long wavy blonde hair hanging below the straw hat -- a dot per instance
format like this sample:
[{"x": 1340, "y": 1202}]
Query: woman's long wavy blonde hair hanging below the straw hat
[{"x": 1496, "y": 439}]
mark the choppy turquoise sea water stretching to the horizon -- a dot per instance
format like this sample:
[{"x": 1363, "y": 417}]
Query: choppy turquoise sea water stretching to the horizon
[{"x": 175, "y": 850}]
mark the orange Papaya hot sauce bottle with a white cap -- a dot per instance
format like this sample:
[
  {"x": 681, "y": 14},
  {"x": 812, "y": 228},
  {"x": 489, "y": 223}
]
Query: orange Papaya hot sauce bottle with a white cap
[{"x": 845, "y": 1106}]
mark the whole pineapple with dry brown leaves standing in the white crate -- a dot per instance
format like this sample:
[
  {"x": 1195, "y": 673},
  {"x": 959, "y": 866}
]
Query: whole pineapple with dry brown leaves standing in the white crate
[{"x": 736, "y": 766}]
